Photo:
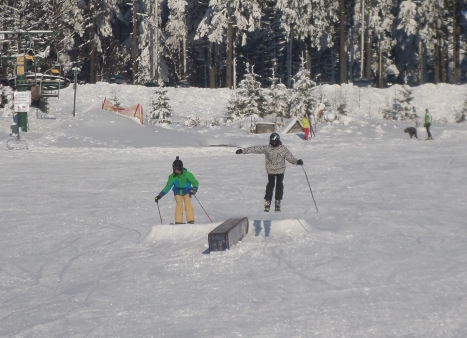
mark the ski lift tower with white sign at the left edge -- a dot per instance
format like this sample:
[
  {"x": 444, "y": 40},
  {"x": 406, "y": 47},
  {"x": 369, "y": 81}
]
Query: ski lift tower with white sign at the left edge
[{"x": 20, "y": 55}]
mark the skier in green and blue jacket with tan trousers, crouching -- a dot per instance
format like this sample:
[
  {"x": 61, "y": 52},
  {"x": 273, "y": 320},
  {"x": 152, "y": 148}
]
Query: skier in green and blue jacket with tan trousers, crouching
[{"x": 184, "y": 186}]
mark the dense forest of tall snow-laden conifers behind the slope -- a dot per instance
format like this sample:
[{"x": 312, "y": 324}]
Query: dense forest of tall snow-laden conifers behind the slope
[{"x": 215, "y": 43}]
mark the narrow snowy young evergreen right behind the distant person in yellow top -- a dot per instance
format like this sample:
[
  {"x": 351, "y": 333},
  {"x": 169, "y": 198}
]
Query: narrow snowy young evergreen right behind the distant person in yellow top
[{"x": 302, "y": 100}]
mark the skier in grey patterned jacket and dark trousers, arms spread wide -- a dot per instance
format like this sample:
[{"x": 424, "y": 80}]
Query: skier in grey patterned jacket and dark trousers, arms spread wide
[{"x": 275, "y": 154}]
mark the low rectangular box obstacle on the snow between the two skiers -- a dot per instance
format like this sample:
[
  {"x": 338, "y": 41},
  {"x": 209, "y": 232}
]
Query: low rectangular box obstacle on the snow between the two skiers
[{"x": 227, "y": 234}]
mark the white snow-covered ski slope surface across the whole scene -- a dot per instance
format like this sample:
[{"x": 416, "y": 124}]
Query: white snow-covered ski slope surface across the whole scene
[{"x": 84, "y": 254}]
